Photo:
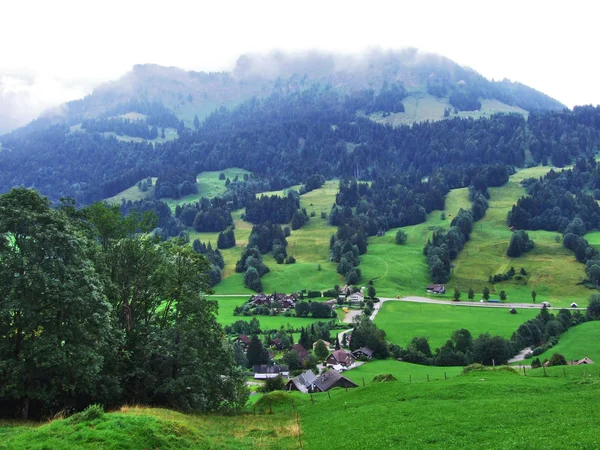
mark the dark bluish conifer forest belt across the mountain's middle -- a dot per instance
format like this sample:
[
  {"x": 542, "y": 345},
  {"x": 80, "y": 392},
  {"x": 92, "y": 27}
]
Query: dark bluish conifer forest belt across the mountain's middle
[{"x": 285, "y": 139}]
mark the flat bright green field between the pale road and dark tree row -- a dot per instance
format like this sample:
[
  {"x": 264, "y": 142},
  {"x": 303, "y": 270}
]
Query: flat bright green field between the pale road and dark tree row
[{"x": 402, "y": 321}]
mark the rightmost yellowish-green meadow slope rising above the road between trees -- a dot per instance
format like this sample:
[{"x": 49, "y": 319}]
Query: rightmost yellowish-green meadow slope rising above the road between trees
[{"x": 553, "y": 271}]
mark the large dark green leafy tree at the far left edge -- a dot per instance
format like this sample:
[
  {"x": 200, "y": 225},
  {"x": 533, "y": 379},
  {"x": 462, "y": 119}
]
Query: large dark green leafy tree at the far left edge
[{"x": 54, "y": 317}]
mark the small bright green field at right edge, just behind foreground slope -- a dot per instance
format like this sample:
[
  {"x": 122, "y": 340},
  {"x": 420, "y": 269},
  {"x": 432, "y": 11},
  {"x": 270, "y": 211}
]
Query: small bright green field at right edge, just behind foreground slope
[{"x": 578, "y": 342}]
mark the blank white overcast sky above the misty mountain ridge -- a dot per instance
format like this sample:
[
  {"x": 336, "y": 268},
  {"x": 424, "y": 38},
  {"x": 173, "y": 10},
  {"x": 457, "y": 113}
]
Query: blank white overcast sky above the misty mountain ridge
[{"x": 64, "y": 48}]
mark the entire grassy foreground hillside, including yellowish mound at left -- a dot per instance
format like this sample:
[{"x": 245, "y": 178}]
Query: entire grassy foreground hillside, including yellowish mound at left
[{"x": 481, "y": 410}]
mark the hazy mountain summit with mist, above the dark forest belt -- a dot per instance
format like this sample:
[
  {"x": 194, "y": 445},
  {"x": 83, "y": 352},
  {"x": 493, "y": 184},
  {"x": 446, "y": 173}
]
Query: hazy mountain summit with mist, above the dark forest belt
[{"x": 432, "y": 83}]
